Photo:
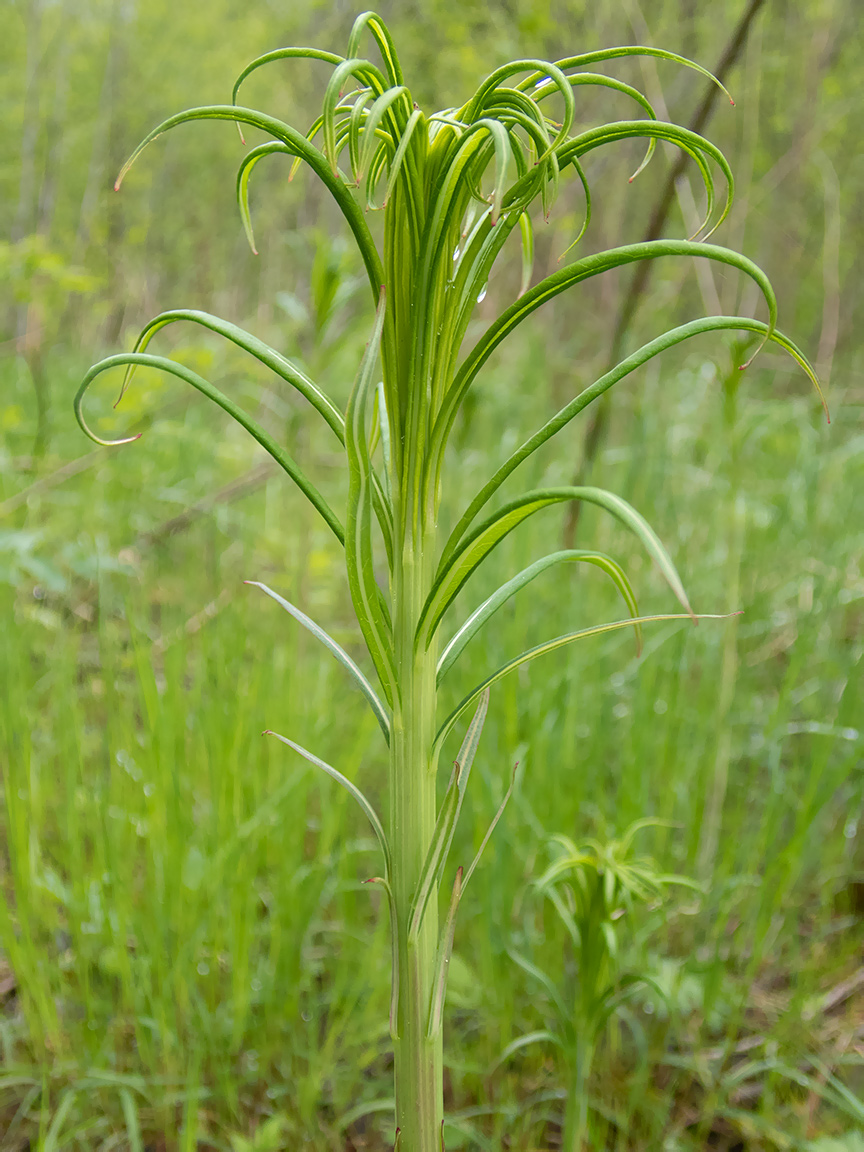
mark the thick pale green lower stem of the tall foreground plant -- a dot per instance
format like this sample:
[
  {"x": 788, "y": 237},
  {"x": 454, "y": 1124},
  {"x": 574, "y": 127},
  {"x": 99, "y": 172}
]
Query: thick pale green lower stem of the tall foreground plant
[{"x": 419, "y": 1057}]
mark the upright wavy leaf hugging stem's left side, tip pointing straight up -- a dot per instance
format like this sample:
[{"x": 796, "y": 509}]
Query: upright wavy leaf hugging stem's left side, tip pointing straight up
[{"x": 366, "y": 594}]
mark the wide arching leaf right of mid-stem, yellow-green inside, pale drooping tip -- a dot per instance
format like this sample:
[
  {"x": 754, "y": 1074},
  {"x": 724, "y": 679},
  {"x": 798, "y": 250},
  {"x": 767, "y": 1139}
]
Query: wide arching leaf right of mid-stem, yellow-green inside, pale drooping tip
[{"x": 473, "y": 551}]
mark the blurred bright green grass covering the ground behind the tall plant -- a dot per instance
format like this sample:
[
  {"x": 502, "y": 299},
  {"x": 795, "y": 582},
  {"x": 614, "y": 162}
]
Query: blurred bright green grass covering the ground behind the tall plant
[{"x": 185, "y": 910}]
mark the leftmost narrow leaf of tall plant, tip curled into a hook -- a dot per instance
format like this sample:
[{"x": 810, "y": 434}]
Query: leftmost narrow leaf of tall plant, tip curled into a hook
[{"x": 255, "y": 430}]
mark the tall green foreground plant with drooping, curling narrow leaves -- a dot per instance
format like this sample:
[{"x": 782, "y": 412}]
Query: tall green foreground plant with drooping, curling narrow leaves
[{"x": 452, "y": 188}]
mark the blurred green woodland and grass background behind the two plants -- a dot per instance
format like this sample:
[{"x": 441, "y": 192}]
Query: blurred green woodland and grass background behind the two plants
[{"x": 183, "y": 910}]
